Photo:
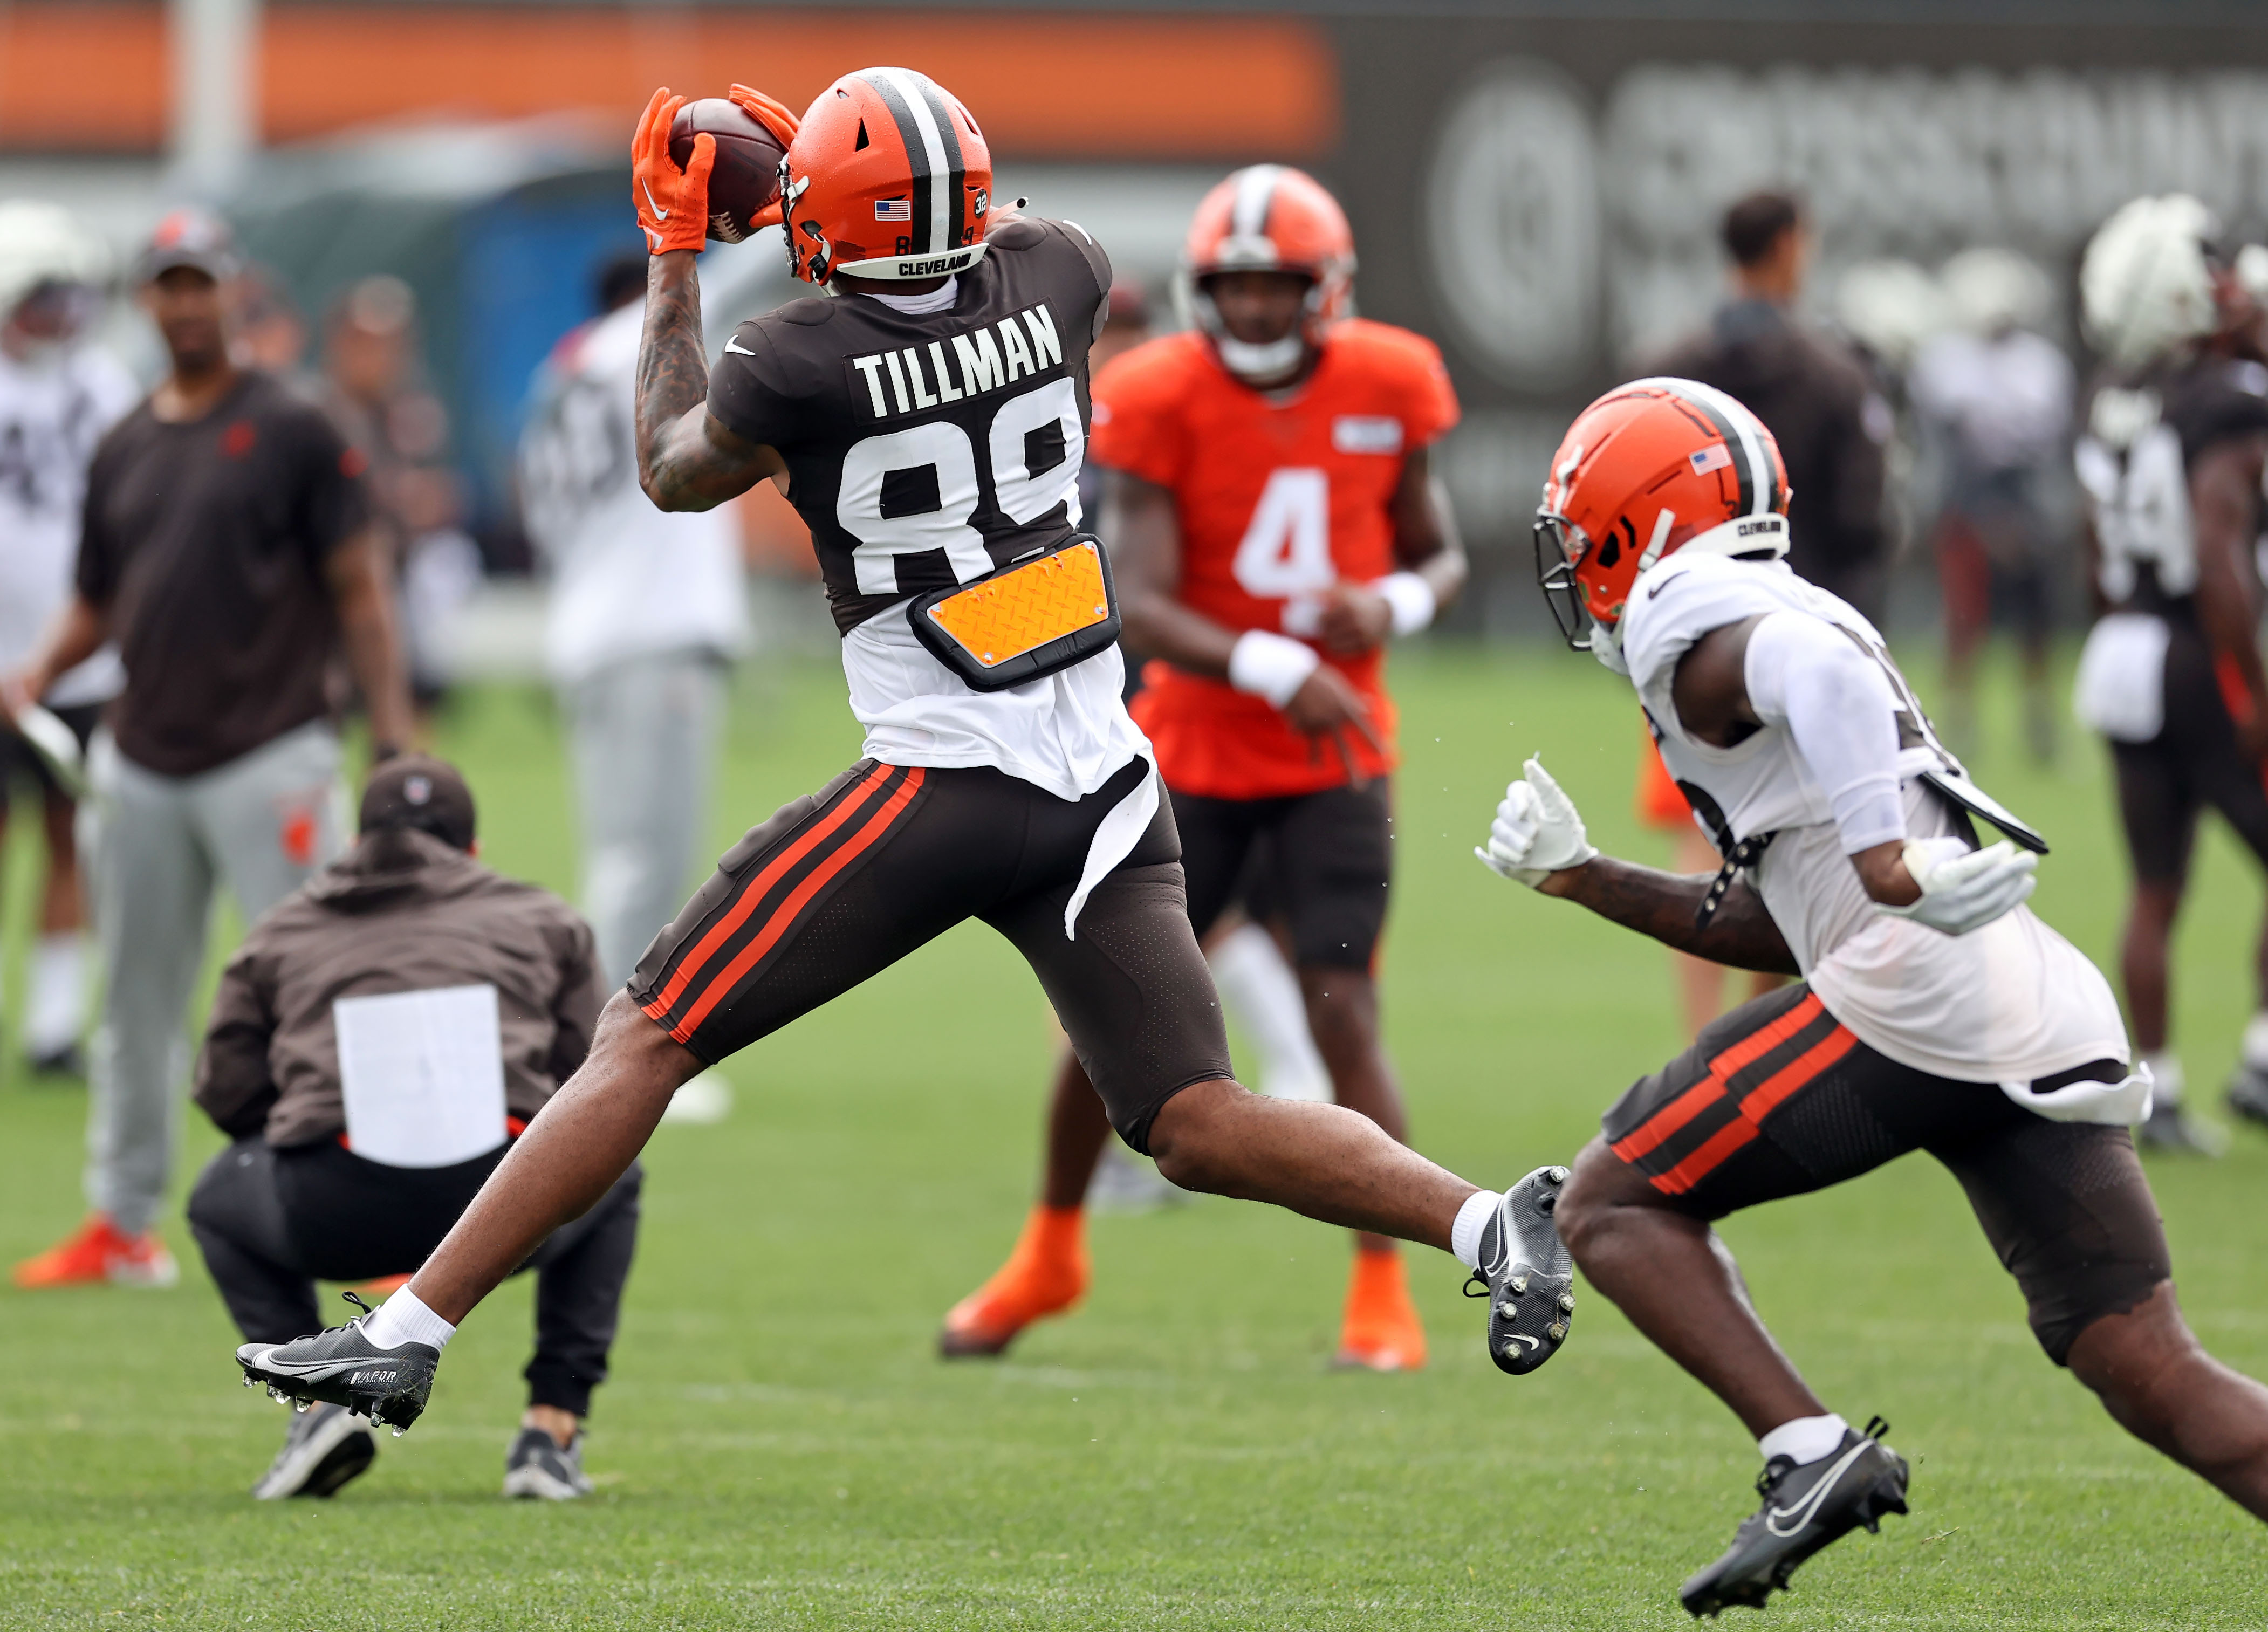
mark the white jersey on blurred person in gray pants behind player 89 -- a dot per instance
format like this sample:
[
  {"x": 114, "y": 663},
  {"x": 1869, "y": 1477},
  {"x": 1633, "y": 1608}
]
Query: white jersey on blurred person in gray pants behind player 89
[{"x": 627, "y": 579}]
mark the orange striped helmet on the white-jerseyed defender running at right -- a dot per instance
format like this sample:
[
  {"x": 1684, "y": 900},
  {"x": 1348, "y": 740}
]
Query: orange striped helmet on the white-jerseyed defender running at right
[{"x": 1648, "y": 470}]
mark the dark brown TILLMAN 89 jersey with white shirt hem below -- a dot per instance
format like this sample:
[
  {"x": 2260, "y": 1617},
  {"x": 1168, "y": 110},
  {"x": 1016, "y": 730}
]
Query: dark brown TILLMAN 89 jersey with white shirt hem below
[{"x": 926, "y": 450}]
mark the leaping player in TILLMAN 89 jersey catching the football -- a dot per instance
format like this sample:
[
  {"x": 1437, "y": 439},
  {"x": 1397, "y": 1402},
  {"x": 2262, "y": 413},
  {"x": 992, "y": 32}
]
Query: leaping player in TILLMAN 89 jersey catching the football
[{"x": 929, "y": 414}]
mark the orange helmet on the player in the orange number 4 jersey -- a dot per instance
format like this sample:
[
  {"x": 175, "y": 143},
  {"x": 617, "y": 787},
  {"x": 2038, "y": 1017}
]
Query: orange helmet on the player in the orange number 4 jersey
[{"x": 1269, "y": 219}]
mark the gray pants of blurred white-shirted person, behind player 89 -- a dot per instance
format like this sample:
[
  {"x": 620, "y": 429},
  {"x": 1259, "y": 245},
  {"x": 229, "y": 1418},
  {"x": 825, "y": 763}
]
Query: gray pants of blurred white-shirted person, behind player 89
[{"x": 645, "y": 738}]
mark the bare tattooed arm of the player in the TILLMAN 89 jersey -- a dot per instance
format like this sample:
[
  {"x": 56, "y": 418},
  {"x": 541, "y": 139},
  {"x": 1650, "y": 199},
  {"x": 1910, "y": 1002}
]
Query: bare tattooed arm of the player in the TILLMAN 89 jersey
[{"x": 686, "y": 457}]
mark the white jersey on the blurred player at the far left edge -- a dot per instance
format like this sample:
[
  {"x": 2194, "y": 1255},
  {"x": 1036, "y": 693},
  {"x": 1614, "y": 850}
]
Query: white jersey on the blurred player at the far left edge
[{"x": 51, "y": 416}]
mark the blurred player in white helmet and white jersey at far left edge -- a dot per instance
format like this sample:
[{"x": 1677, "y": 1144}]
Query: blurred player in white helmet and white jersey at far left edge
[{"x": 58, "y": 396}]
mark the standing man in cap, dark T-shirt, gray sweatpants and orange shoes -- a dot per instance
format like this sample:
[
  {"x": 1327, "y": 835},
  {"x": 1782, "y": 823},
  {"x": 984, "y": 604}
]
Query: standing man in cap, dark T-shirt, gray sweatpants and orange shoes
[{"x": 228, "y": 552}]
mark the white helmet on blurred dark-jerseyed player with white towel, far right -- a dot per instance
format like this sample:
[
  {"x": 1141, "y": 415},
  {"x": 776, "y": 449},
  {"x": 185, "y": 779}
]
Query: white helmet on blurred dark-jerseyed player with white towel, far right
[{"x": 2147, "y": 287}]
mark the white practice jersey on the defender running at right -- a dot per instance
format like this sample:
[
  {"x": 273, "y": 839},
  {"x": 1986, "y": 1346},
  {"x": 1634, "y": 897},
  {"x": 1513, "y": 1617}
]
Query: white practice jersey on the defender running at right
[{"x": 2008, "y": 1003}]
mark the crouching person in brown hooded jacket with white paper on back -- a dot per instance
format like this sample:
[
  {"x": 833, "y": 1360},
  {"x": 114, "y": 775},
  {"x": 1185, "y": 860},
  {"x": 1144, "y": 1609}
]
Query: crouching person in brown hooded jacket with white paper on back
[{"x": 378, "y": 1044}]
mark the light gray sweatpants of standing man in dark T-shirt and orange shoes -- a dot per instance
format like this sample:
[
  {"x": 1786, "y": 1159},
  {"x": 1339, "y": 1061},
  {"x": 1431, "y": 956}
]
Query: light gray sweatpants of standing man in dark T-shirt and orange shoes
[{"x": 155, "y": 849}]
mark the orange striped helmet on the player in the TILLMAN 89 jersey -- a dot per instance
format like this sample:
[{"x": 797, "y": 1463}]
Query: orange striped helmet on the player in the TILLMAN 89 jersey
[{"x": 888, "y": 180}]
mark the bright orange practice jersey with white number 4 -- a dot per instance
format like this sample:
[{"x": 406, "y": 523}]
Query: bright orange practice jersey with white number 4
[{"x": 1278, "y": 495}]
